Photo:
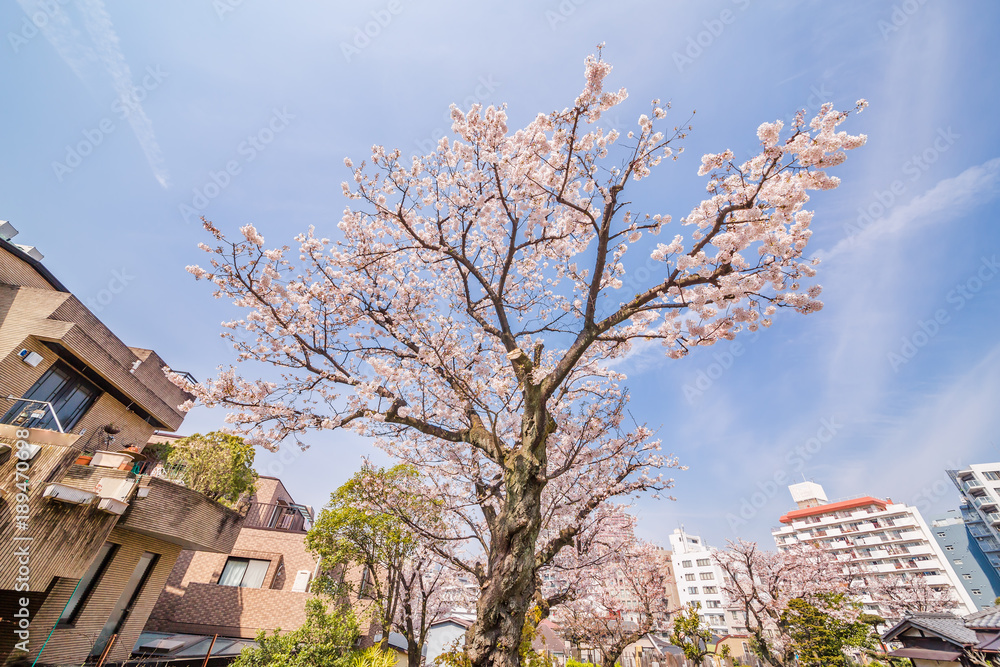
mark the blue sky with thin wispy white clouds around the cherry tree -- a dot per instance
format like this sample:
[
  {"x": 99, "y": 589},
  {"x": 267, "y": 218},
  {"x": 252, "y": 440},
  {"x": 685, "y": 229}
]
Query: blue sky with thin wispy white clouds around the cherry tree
[{"x": 897, "y": 379}]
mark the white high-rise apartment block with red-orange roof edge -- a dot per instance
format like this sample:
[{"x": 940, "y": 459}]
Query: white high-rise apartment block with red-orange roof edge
[{"x": 872, "y": 535}]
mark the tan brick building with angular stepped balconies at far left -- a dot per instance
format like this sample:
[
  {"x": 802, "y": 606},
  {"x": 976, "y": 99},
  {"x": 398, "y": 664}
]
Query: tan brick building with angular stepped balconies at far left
[{"x": 87, "y": 545}]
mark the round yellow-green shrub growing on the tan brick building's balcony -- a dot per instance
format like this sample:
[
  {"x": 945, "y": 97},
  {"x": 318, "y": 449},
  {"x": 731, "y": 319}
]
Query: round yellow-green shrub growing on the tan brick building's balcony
[{"x": 216, "y": 464}]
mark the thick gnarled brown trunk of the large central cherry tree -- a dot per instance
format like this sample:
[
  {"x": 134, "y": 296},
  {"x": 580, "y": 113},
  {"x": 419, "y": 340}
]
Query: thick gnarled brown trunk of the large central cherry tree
[{"x": 507, "y": 593}]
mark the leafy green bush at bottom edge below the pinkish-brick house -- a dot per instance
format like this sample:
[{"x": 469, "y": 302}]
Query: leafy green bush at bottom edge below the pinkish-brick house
[{"x": 326, "y": 638}]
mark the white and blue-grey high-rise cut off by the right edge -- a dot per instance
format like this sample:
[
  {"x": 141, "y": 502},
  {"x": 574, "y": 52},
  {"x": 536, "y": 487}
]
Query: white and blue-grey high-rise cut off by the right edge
[{"x": 979, "y": 485}]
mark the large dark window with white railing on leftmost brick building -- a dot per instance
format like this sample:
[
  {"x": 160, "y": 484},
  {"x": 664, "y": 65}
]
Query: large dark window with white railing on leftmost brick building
[{"x": 70, "y": 394}]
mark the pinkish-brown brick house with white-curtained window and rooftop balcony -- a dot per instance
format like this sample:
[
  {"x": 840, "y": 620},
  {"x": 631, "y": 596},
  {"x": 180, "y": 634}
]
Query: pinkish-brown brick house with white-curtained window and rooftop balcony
[{"x": 262, "y": 583}]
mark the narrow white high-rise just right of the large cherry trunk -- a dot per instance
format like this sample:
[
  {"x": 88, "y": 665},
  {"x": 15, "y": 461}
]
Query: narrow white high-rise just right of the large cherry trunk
[{"x": 699, "y": 579}]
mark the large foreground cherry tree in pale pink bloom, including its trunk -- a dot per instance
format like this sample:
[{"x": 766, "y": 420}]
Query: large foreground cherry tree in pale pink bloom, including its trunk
[{"x": 469, "y": 313}]
